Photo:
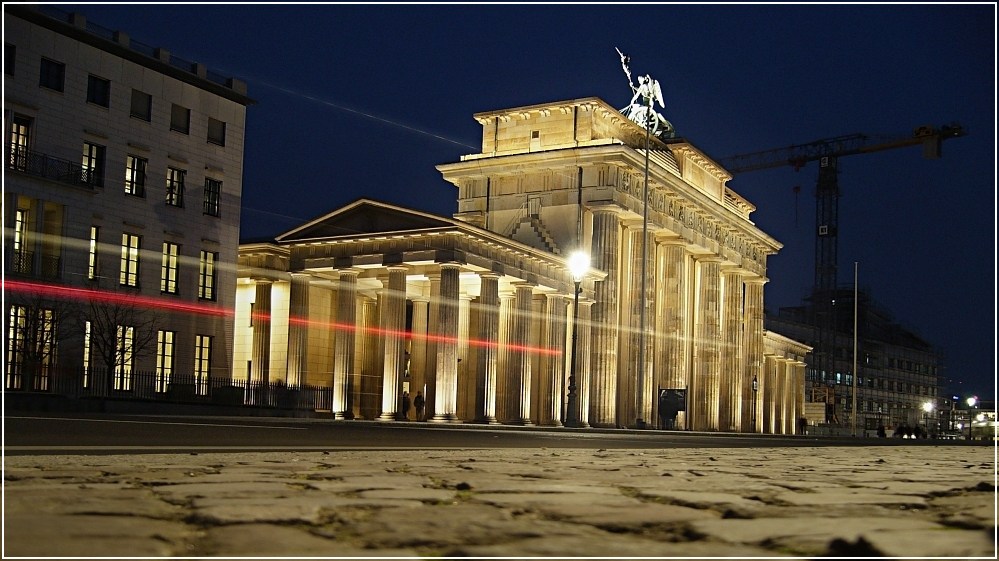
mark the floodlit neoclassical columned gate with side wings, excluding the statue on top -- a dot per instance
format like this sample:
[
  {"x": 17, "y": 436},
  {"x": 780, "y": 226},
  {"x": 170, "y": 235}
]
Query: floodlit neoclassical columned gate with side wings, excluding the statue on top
[{"x": 476, "y": 311}]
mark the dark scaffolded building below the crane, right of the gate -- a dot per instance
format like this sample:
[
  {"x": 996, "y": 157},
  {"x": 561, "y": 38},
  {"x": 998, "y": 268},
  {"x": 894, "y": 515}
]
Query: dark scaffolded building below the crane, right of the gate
[{"x": 898, "y": 371}]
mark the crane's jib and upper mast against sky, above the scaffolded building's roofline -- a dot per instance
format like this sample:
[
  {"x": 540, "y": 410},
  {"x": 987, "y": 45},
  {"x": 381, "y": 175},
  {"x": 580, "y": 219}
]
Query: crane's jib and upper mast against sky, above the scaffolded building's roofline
[{"x": 827, "y": 151}]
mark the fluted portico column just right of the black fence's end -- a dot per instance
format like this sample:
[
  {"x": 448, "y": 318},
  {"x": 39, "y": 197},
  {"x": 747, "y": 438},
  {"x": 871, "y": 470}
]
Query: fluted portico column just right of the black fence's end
[{"x": 343, "y": 345}]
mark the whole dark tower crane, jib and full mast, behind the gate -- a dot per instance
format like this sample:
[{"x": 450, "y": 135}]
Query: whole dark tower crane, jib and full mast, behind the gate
[{"x": 827, "y": 152}]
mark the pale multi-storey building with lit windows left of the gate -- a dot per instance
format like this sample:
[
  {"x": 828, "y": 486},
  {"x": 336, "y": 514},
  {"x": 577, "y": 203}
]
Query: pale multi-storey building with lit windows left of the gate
[{"x": 122, "y": 190}]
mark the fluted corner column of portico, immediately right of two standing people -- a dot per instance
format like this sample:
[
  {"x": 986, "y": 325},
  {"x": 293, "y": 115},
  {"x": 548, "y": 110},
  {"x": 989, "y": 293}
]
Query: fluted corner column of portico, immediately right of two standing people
[{"x": 446, "y": 388}]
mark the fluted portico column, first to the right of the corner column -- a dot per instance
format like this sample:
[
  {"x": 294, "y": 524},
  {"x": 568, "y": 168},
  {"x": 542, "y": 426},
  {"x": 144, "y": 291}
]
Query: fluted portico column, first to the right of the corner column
[{"x": 487, "y": 351}]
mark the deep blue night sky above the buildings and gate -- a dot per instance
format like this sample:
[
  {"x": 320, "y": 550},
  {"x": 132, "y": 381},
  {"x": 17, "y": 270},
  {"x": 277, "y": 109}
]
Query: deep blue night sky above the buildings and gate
[{"x": 364, "y": 101}]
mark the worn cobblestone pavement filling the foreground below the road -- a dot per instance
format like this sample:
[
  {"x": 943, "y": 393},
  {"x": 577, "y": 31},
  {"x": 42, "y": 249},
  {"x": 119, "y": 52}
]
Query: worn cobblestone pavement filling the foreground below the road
[{"x": 897, "y": 501}]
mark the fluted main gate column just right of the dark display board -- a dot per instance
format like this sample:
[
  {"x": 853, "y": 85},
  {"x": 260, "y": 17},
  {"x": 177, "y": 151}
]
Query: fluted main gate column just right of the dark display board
[{"x": 707, "y": 345}]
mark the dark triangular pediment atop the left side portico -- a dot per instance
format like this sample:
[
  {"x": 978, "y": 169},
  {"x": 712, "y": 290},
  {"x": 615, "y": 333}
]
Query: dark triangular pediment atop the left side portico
[{"x": 365, "y": 217}]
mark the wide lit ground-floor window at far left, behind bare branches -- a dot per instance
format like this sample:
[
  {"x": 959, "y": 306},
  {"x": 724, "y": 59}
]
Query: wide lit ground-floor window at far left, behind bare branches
[{"x": 30, "y": 345}]
